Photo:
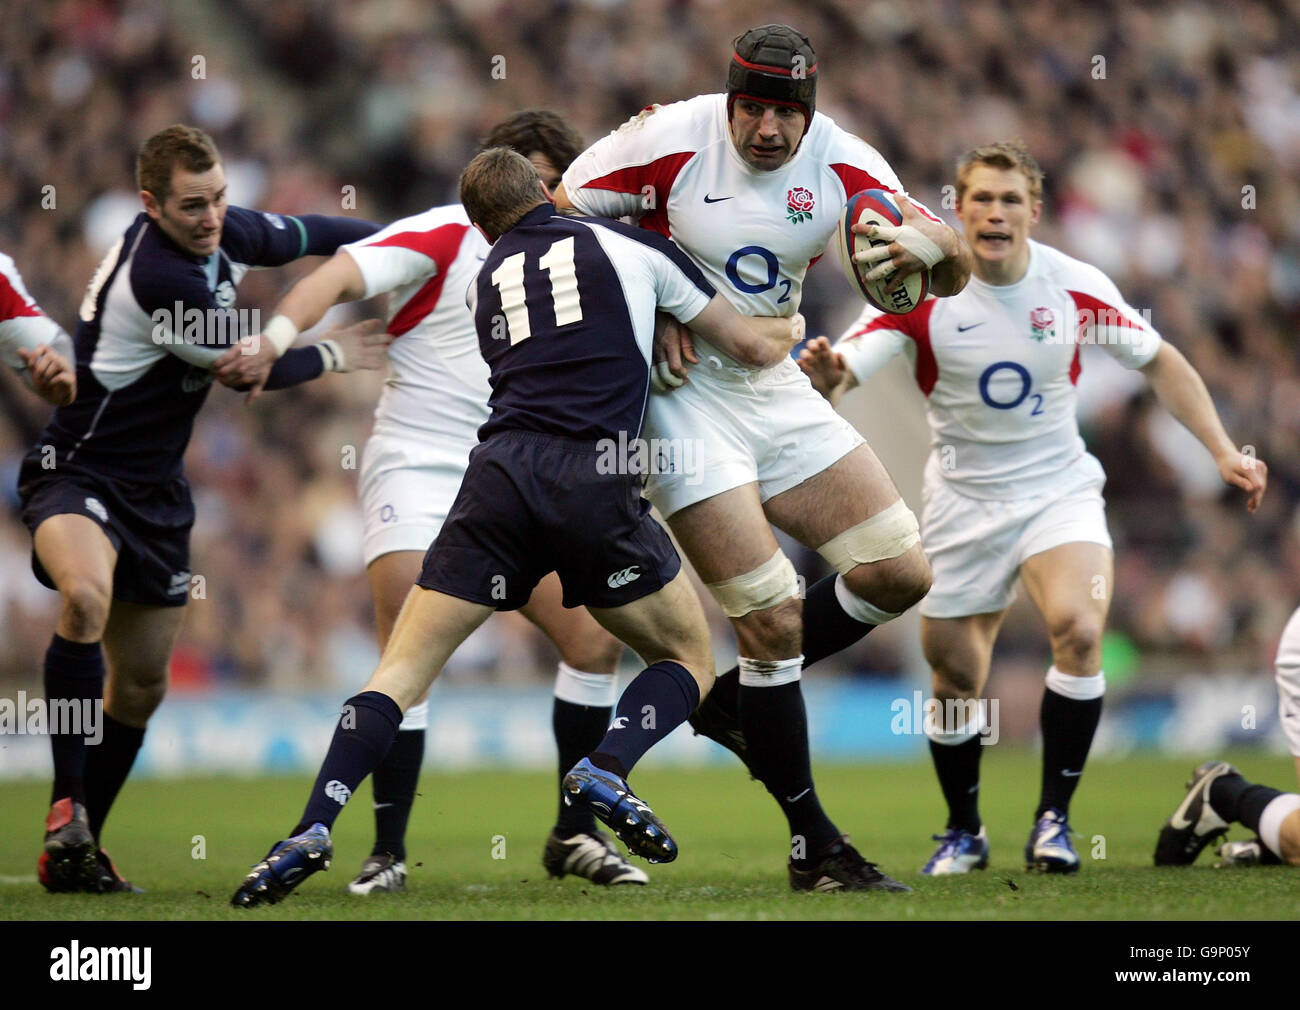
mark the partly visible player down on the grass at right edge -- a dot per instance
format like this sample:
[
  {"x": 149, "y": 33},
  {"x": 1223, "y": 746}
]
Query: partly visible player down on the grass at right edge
[{"x": 1219, "y": 796}]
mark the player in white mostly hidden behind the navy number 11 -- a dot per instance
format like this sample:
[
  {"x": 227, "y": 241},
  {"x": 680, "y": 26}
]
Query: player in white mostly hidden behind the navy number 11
[{"x": 426, "y": 426}]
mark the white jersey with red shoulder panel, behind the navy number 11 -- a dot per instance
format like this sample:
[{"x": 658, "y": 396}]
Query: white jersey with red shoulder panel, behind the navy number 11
[{"x": 439, "y": 380}]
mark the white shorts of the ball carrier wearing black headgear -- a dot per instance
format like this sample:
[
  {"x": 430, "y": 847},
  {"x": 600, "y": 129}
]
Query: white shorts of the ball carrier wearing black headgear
[{"x": 731, "y": 427}]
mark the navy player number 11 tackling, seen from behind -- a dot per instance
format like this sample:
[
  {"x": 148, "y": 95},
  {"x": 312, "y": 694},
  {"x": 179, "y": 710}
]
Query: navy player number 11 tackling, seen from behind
[{"x": 565, "y": 310}]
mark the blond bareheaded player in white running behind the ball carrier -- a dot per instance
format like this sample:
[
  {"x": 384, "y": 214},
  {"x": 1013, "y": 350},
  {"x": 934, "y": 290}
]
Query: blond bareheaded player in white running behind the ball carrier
[{"x": 1011, "y": 489}]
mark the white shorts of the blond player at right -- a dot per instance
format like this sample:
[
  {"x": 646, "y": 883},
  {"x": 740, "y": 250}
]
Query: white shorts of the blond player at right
[{"x": 977, "y": 547}]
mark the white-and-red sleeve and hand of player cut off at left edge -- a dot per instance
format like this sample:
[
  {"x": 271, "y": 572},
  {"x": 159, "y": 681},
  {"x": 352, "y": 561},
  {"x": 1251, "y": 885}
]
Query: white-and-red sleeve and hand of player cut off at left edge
[{"x": 32, "y": 344}]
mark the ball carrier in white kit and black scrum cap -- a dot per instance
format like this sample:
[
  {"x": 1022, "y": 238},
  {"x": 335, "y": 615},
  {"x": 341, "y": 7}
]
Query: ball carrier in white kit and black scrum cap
[{"x": 752, "y": 184}]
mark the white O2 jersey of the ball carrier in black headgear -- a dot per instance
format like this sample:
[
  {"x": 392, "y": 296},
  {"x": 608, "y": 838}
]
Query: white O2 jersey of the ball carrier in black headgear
[{"x": 753, "y": 233}]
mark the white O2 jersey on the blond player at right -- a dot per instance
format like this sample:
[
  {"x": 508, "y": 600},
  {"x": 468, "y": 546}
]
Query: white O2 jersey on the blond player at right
[{"x": 999, "y": 366}]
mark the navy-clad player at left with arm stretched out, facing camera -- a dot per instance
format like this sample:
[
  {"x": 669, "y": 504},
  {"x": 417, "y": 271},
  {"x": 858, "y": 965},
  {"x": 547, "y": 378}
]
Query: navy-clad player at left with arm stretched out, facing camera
[{"x": 103, "y": 492}]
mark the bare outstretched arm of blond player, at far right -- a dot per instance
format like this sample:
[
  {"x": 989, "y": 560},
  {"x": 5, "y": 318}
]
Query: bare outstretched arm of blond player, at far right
[{"x": 1181, "y": 392}]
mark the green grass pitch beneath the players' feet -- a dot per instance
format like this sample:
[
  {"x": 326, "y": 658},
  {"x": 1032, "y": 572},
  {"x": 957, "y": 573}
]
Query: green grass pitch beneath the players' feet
[{"x": 731, "y": 838}]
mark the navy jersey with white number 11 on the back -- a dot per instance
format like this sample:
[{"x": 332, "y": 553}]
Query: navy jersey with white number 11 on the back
[{"x": 565, "y": 311}]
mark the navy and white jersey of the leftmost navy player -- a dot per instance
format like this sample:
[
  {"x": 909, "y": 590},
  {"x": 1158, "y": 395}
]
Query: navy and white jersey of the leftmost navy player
[{"x": 154, "y": 320}]
